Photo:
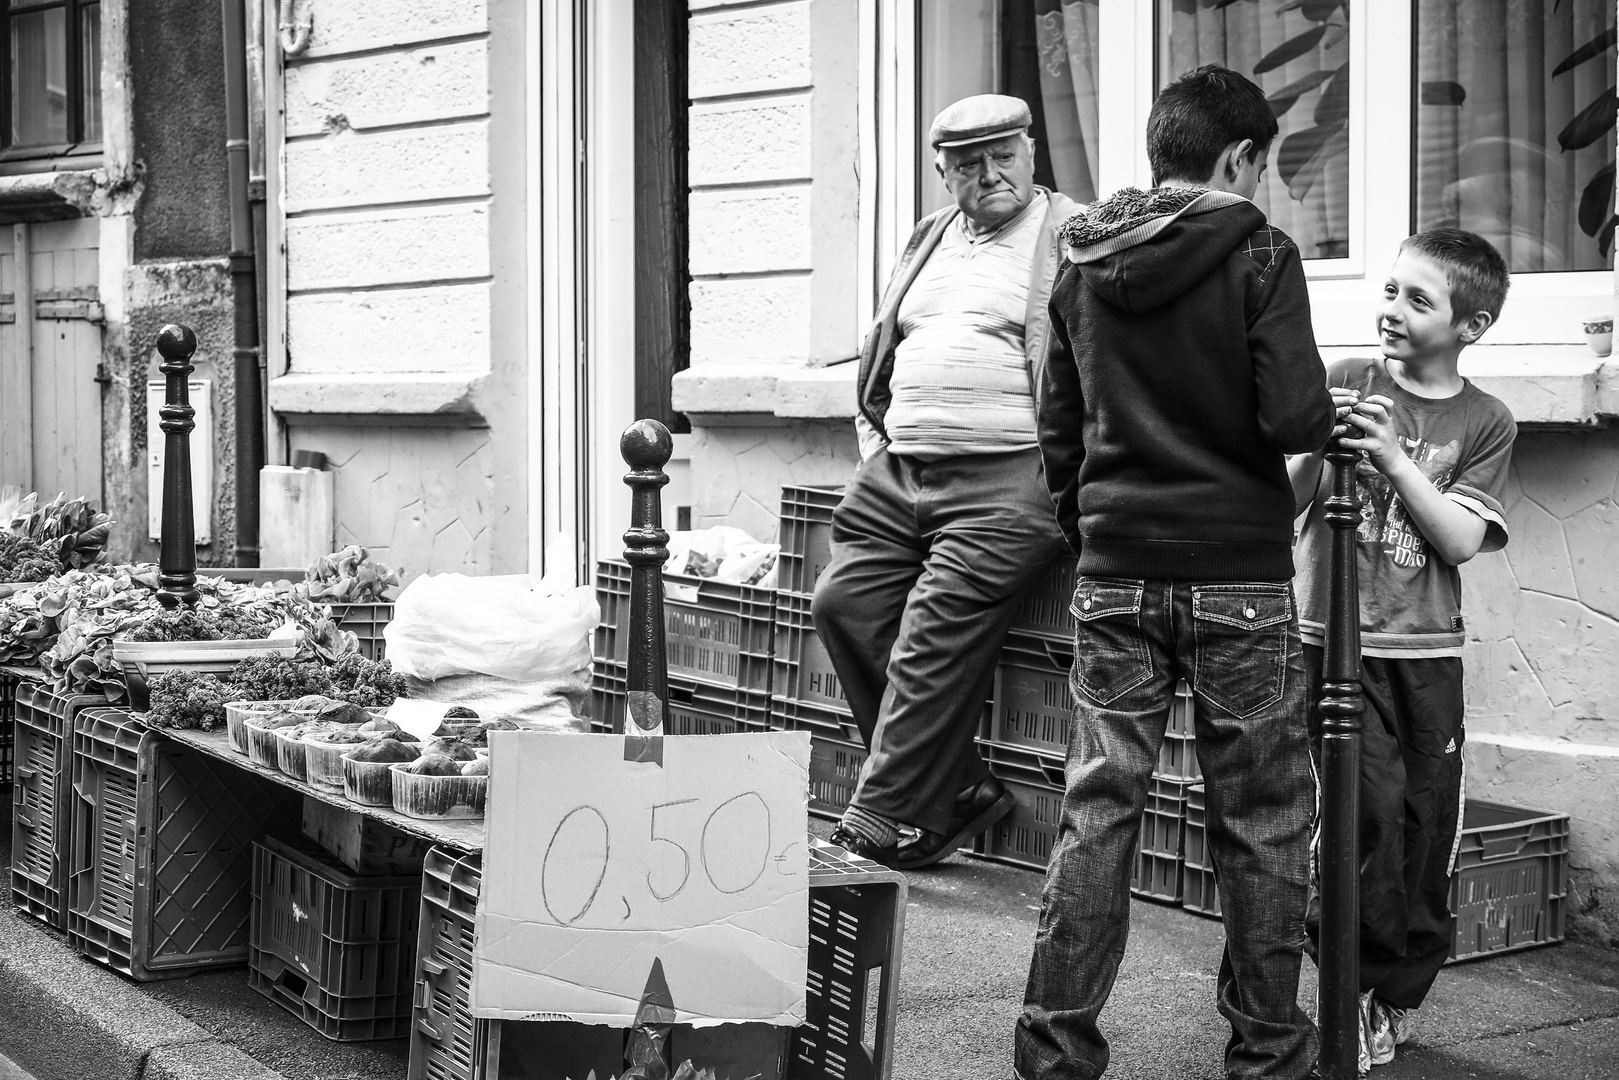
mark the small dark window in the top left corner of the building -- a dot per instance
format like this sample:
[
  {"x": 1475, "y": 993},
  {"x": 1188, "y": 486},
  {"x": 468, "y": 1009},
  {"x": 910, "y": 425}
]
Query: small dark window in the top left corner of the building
[{"x": 53, "y": 79}]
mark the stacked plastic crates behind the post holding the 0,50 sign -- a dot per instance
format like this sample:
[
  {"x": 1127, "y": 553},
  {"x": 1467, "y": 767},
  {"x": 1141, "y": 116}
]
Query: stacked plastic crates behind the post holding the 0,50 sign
[{"x": 718, "y": 642}]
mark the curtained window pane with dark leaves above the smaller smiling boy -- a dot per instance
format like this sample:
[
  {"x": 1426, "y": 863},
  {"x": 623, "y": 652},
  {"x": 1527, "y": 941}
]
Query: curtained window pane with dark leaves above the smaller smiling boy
[{"x": 1515, "y": 114}]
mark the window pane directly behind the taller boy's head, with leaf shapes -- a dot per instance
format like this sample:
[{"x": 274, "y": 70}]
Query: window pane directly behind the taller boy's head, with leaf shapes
[{"x": 1298, "y": 51}]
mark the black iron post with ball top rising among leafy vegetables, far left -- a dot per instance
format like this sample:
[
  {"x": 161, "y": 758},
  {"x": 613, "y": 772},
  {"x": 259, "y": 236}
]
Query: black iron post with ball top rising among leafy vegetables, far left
[{"x": 177, "y": 563}]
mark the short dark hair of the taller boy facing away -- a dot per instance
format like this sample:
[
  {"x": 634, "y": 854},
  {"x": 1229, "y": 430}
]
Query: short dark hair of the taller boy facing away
[{"x": 1199, "y": 116}]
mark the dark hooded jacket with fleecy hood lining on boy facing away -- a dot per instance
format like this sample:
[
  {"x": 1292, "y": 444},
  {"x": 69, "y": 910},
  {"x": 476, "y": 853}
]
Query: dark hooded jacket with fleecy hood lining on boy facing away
[{"x": 1181, "y": 370}]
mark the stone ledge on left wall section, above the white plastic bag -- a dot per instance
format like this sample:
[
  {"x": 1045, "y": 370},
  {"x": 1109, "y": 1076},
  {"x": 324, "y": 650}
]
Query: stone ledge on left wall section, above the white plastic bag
[{"x": 376, "y": 398}]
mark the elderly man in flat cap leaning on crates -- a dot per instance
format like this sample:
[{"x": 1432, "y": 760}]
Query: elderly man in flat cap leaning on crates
[{"x": 948, "y": 517}]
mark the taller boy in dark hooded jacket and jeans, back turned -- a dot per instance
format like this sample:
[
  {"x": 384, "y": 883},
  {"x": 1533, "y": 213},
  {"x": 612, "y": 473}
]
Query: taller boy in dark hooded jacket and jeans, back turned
[{"x": 1183, "y": 370}]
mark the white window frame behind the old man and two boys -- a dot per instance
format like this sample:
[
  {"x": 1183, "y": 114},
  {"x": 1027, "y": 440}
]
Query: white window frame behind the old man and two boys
[{"x": 1545, "y": 310}]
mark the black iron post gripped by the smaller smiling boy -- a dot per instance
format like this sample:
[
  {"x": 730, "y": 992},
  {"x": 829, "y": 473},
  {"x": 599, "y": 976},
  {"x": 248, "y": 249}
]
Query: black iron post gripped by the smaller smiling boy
[{"x": 1341, "y": 708}]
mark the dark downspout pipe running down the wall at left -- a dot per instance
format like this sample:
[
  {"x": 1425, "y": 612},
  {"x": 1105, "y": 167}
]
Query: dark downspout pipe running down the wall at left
[{"x": 245, "y": 291}]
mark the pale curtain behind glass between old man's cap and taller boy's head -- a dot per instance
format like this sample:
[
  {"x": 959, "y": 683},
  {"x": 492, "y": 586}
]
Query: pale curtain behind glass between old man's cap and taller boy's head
[{"x": 1066, "y": 36}]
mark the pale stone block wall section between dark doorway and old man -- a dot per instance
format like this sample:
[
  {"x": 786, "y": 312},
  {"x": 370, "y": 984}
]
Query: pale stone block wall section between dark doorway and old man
[{"x": 775, "y": 245}]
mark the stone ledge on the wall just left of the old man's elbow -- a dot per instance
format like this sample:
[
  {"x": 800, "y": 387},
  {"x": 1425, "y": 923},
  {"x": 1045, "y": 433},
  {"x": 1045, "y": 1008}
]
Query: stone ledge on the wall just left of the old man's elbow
[{"x": 718, "y": 394}]
